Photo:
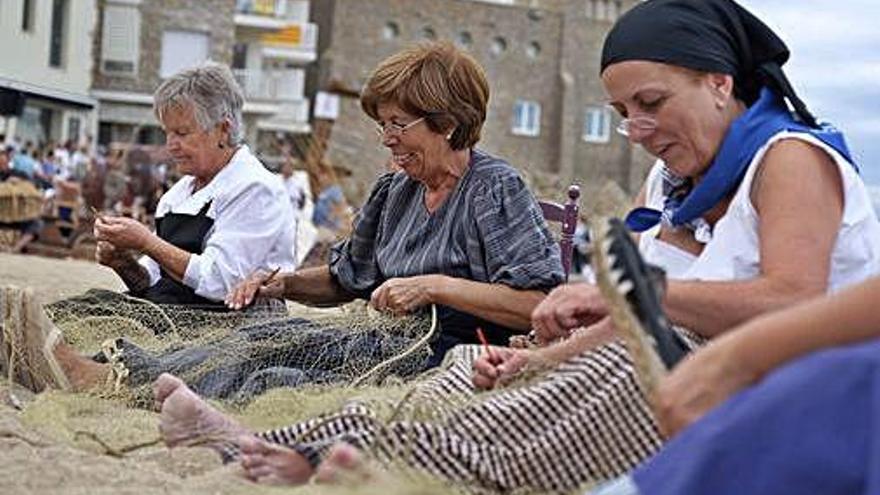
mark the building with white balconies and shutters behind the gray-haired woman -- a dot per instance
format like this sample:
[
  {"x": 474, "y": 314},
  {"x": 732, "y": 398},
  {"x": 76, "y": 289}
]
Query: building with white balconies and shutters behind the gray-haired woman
[{"x": 140, "y": 42}]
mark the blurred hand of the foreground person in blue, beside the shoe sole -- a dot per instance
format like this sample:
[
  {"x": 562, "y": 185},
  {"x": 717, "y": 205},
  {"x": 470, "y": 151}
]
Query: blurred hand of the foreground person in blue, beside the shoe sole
[{"x": 701, "y": 382}]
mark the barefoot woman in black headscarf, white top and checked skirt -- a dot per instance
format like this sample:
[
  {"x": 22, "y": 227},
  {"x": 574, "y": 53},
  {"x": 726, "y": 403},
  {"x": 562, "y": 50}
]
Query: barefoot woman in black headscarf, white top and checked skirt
[{"x": 701, "y": 87}]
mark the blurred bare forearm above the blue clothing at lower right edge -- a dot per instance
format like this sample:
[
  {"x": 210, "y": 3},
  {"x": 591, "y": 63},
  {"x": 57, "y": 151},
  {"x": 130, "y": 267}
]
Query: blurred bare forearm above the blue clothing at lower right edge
[{"x": 844, "y": 318}]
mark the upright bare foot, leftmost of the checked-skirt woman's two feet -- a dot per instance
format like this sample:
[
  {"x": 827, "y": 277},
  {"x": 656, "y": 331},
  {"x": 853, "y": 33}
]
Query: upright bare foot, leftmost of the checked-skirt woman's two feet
[{"x": 187, "y": 420}]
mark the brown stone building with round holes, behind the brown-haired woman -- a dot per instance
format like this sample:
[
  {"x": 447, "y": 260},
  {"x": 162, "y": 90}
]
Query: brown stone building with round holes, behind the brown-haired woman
[{"x": 547, "y": 110}]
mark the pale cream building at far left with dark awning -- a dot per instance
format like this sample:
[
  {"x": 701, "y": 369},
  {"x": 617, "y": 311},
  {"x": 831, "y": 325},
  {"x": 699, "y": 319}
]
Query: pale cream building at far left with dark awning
[{"x": 45, "y": 70}]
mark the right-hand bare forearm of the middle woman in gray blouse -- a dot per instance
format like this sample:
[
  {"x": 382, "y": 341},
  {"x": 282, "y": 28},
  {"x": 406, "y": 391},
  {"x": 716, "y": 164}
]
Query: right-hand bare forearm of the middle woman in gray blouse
[{"x": 497, "y": 303}]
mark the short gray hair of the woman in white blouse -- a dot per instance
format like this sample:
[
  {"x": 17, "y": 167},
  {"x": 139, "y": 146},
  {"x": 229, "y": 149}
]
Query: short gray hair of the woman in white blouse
[{"x": 212, "y": 91}]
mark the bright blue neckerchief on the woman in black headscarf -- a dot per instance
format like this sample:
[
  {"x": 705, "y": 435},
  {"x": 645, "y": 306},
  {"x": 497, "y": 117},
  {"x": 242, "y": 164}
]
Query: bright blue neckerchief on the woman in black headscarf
[{"x": 747, "y": 134}]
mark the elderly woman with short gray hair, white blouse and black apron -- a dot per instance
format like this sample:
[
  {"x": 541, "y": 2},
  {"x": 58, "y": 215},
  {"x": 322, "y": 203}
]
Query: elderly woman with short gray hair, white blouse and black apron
[{"x": 224, "y": 219}]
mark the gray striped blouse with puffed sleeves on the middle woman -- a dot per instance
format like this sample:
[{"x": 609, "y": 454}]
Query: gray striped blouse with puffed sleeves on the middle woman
[{"x": 489, "y": 229}]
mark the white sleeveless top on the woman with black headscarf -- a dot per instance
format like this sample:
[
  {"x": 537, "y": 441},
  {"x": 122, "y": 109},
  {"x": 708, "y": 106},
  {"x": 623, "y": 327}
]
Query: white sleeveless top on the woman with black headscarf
[{"x": 734, "y": 251}]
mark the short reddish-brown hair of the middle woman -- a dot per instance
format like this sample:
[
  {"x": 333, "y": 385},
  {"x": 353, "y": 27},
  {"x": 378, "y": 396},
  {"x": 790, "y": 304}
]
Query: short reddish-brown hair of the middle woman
[{"x": 436, "y": 81}]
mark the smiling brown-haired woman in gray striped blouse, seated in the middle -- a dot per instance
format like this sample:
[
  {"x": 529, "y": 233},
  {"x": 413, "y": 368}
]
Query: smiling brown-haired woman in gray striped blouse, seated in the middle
[{"x": 455, "y": 227}]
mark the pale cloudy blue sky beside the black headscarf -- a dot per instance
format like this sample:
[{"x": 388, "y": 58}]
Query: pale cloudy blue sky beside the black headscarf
[{"x": 834, "y": 66}]
